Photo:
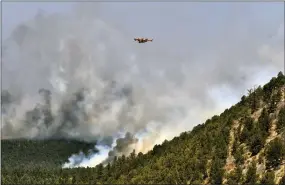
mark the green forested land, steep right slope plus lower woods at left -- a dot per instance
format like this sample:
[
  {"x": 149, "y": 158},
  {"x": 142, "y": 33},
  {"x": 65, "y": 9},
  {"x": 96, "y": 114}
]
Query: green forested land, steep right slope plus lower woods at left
[{"x": 243, "y": 145}]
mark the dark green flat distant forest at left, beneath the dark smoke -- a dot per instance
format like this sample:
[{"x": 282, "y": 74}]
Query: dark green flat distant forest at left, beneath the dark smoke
[{"x": 24, "y": 154}]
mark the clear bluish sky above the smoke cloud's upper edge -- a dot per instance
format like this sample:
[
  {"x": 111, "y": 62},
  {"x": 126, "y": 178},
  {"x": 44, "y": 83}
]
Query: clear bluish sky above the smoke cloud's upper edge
[{"x": 180, "y": 24}]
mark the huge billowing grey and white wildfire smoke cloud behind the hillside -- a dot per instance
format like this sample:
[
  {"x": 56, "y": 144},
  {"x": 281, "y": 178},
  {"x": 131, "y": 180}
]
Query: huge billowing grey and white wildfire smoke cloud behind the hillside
[{"x": 78, "y": 76}]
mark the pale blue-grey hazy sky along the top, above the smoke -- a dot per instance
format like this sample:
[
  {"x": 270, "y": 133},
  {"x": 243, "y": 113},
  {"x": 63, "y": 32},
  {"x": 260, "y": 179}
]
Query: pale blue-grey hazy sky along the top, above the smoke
[{"x": 152, "y": 18}]
